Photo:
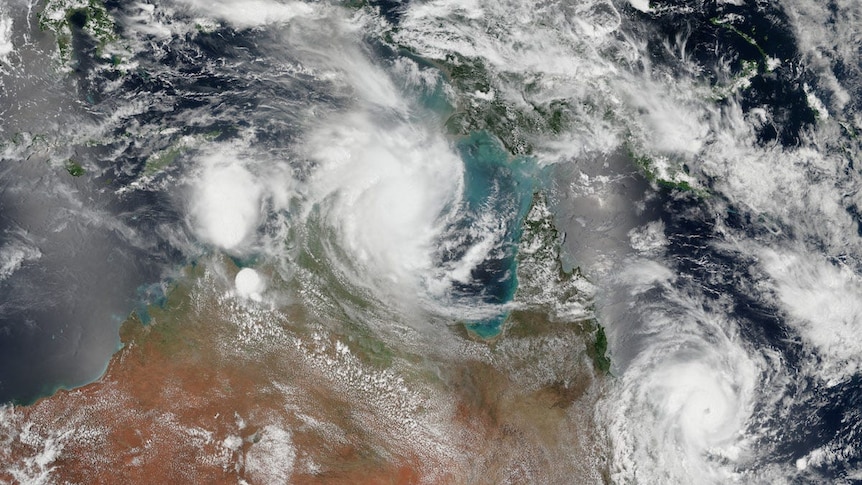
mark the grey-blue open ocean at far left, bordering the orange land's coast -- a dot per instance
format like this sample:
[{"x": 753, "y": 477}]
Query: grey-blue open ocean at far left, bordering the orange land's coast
[{"x": 59, "y": 313}]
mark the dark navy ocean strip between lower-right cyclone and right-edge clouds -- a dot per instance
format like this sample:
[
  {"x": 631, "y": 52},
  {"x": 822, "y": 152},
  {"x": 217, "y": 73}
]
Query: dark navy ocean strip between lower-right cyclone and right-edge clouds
[{"x": 819, "y": 413}]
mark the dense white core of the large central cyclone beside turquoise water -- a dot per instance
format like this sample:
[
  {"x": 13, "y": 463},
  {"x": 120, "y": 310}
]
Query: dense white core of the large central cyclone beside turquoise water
[{"x": 386, "y": 188}]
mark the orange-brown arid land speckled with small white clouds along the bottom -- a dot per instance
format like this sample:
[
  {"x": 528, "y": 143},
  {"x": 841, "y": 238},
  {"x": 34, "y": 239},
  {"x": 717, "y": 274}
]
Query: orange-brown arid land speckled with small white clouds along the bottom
[{"x": 220, "y": 390}]
